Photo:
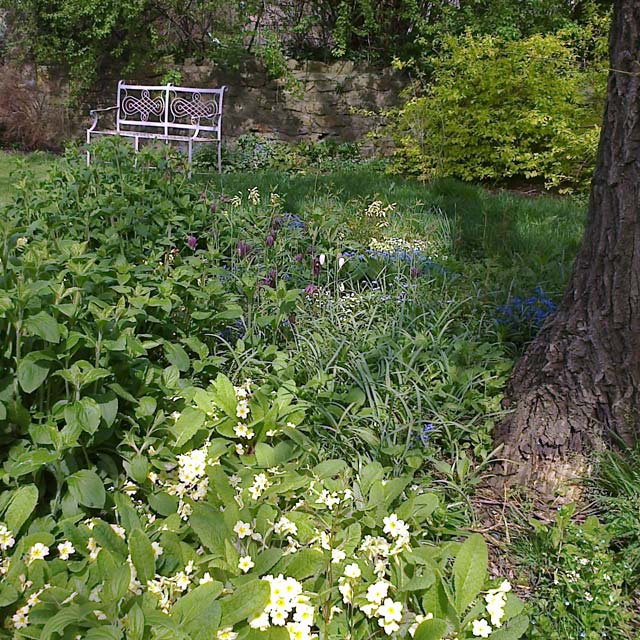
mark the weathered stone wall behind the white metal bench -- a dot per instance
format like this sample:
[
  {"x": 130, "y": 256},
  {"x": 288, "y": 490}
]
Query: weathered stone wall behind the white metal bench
[{"x": 336, "y": 101}]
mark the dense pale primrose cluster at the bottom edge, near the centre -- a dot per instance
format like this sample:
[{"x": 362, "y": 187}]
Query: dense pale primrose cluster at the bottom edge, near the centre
[{"x": 287, "y": 607}]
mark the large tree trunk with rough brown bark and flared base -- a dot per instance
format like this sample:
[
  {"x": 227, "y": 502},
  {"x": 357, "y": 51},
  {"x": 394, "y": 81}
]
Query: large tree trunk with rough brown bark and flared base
[{"x": 578, "y": 385}]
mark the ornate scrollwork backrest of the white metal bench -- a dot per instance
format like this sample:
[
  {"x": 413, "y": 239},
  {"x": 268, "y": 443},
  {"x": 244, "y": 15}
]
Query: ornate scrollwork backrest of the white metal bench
[{"x": 169, "y": 110}]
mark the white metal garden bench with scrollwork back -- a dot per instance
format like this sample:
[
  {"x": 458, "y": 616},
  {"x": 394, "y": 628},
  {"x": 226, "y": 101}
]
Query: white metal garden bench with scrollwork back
[{"x": 166, "y": 113}]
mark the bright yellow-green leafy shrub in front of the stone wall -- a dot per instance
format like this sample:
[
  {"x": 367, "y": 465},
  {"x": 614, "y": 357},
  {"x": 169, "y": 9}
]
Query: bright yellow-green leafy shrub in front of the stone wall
[{"x": 496, "y": 109}]
